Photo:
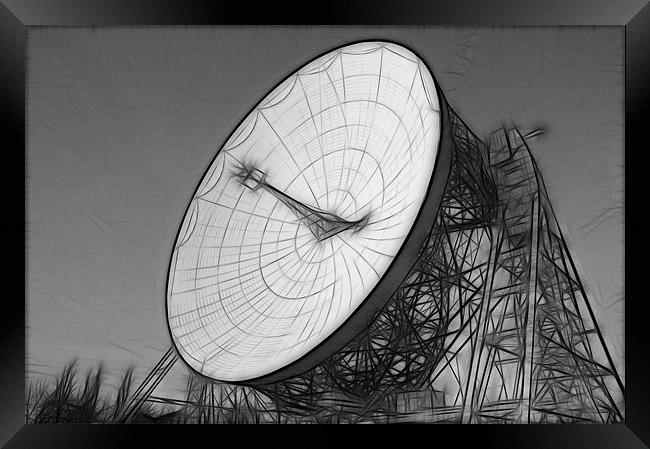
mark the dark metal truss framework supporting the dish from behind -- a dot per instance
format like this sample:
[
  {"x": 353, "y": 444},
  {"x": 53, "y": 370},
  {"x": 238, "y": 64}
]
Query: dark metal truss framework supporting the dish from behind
[{"x": 492, "y": 324}]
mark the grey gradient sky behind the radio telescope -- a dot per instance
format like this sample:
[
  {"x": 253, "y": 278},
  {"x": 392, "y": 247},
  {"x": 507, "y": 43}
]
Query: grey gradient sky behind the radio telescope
[{"x": 122, "y": 122}]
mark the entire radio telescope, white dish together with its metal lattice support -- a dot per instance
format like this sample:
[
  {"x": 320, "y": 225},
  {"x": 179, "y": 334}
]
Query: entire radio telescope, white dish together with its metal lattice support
[{"x": 355, "y": 253}]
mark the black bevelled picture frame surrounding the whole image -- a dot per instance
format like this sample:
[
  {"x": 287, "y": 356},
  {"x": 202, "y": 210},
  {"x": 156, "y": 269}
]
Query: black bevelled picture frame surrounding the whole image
[{"x": 17, "y": 16}]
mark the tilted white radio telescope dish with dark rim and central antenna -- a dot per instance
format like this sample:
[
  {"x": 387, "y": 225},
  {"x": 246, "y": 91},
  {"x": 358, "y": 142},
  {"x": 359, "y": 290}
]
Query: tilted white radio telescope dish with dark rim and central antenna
[{"x": 309, "y": 216}]
